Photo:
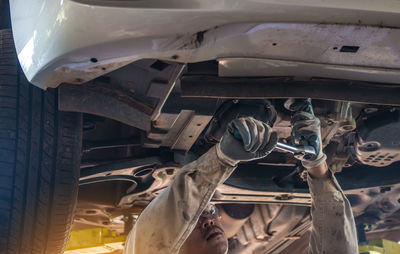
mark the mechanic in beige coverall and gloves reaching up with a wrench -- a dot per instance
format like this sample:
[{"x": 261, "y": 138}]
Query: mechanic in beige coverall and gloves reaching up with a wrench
[{"x": 181, "y": 220}]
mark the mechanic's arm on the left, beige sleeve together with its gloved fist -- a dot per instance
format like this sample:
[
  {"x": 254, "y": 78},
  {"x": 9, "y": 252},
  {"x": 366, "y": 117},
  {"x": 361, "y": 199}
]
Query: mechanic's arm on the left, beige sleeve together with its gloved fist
[{"x": 169, "y": 219}]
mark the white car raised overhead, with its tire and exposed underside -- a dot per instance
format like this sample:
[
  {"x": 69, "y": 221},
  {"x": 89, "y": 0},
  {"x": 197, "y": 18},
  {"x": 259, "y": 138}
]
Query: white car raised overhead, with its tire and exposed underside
[{"x": 102, "y": 101}]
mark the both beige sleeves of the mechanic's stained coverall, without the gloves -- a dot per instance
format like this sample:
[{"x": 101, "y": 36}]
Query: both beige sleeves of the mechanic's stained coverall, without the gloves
[{"x": 170, "y": 218}]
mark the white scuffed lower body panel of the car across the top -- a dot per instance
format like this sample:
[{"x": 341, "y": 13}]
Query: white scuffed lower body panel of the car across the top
[{"x": 77, "y": 41}]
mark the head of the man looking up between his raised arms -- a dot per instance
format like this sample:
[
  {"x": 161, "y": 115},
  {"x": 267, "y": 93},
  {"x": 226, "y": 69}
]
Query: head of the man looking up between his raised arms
[{"x": 208, "y": 237}]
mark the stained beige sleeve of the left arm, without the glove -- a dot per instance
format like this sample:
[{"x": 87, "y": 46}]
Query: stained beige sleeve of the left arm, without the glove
[{"x": 169, "y": 219}]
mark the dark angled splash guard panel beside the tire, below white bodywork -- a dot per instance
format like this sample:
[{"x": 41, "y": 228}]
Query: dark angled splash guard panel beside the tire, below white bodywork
[{"x": 133, "y": 95}]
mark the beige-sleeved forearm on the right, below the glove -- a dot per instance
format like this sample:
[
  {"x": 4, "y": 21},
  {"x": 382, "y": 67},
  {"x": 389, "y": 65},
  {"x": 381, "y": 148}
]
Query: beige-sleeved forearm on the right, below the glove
[{"x": 334, "y": 229}]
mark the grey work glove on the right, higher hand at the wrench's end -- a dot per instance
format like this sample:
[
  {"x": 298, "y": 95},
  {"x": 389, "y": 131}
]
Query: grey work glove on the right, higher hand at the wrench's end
[{"x": 306, "y": 130}]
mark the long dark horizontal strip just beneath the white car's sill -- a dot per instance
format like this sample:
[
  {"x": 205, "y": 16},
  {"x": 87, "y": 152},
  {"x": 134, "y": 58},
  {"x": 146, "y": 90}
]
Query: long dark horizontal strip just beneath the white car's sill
[{"x": 257, "y": 88}]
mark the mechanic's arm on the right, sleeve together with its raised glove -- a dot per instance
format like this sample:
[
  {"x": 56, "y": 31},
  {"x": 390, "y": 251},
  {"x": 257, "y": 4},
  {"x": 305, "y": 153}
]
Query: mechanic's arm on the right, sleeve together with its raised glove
[{"x": 333, "y": 227}]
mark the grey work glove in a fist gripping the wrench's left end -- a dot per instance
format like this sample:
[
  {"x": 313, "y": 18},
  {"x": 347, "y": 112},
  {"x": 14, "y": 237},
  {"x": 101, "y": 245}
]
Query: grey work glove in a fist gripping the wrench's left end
[{"x": 246, "y": 139}]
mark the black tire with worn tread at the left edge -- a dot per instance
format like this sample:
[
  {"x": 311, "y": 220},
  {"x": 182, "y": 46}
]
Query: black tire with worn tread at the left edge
[{"x": 40, "y": 149}]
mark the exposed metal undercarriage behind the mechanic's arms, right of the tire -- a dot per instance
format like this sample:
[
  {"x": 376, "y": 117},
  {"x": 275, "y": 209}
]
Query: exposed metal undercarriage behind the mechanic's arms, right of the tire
[{"x": 265, "y": 203}]
